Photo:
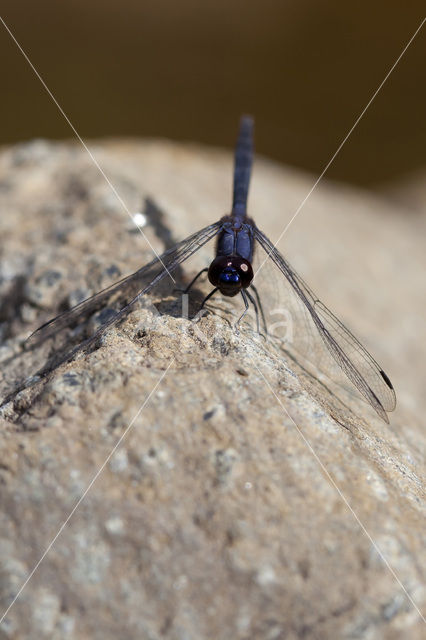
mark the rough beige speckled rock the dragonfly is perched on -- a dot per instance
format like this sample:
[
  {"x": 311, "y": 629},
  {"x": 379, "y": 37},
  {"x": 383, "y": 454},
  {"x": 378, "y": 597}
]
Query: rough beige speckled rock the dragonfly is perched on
[{"x": 212, "y": 518}]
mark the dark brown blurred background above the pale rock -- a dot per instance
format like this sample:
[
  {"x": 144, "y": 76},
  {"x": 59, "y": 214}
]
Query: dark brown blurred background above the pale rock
[{"x": 187, "y": 69}]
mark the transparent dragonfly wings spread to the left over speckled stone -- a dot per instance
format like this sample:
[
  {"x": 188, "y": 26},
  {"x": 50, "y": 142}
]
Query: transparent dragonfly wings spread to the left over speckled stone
[{"x": 137, "y": 284}]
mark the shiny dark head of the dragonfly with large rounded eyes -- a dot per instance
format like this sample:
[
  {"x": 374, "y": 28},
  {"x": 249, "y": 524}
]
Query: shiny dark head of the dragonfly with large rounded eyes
[{"x": 230, "y": 274}]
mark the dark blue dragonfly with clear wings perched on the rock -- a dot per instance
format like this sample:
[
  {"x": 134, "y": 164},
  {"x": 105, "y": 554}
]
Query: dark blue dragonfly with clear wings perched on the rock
[{"x": 231, "y": 273}]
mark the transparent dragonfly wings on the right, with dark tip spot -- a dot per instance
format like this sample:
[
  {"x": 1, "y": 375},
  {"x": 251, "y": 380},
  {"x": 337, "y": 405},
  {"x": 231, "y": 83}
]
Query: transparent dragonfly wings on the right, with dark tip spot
[{"x": 349, "y": 354}]
